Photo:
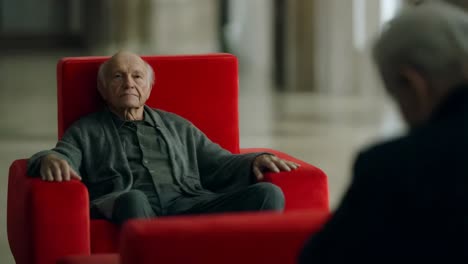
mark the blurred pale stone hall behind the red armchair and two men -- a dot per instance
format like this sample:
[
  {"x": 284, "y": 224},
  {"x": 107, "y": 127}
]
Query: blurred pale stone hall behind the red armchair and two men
[{"x": 307, "y": 82}]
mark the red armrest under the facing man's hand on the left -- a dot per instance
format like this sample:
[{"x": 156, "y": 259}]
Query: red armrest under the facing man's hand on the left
[{"x": 46, "y": 220}]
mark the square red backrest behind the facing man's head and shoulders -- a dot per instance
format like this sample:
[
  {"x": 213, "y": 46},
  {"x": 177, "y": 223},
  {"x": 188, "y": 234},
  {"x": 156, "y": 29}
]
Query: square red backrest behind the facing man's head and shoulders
[{"x": 201, "y": 88}]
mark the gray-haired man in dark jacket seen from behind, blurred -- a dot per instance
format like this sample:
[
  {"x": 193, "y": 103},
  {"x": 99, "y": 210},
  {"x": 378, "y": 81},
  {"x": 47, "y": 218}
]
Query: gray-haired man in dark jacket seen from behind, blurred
[{"x": 408, "y": 200}]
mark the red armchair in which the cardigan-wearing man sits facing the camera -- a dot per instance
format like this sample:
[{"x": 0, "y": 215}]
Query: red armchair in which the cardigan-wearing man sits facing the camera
[{"x": 47, "y": 220}]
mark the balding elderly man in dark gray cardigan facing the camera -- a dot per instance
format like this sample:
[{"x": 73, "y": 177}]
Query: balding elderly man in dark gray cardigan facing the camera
[{"x": 139, "y": 162}]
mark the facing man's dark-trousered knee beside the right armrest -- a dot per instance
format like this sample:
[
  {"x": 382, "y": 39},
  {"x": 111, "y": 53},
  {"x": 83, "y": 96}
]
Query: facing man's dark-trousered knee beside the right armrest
[{"x": 270, "y": 196}]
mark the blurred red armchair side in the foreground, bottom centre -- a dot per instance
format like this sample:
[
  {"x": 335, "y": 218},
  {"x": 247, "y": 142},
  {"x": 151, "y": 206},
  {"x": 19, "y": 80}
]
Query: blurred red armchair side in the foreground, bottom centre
[{"x": 229, "y": 238}]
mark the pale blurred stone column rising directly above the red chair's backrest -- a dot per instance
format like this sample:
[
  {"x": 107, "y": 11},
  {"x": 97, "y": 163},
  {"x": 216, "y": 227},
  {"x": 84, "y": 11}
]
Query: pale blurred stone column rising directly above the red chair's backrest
[{"x": 181, "y": 26}]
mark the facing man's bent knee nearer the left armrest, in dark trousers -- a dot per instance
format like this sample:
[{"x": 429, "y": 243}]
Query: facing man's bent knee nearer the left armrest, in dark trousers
[{"x": 131, "y": 204}]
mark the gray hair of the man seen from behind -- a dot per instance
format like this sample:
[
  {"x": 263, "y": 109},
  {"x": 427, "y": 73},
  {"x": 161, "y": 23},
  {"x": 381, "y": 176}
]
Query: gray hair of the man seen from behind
[{"x": 431, "y": 38}]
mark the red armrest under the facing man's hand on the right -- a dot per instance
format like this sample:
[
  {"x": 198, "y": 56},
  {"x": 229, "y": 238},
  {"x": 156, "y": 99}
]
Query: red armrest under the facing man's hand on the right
[{"x": 304, "y": 188}]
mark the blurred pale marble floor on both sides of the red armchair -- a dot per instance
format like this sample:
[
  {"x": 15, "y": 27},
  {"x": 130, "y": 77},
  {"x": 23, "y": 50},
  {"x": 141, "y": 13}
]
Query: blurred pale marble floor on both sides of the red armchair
[{"x": 324, "y": 130}]
